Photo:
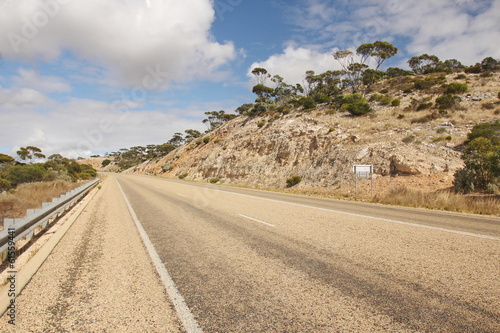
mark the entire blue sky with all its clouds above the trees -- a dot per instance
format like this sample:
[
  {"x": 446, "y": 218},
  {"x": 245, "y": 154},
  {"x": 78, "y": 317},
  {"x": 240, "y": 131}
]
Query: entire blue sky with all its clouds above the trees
[{"x": 86, "y": 77}]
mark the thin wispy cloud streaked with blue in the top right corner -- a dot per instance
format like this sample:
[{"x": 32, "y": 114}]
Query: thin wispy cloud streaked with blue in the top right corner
[{"x": 463, "y": 29}]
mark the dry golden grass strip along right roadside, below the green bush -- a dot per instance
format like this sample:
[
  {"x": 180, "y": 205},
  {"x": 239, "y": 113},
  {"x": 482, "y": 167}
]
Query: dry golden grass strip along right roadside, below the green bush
[{"x": 443, "y": 200}]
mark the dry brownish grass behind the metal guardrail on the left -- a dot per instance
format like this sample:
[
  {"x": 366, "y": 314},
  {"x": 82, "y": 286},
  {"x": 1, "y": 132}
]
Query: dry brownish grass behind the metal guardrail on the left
[{"x": 29, "y": 196}]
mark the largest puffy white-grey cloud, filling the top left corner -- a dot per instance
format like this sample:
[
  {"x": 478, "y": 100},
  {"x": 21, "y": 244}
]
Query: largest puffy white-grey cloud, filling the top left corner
[{"x": 124, "y": 37}]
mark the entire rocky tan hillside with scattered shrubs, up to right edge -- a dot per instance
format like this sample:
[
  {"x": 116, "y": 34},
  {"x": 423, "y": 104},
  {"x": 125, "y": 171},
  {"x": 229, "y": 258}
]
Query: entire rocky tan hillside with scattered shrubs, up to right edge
[{"x": 419, "y": 149}]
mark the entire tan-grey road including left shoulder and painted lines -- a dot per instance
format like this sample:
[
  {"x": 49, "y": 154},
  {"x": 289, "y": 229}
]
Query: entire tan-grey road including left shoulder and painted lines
[{"x": 240, "y": 260}]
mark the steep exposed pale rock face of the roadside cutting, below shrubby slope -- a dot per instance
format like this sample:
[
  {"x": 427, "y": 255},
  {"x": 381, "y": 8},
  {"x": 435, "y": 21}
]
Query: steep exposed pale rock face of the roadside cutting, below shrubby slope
[{"x": 242, "y": 153}]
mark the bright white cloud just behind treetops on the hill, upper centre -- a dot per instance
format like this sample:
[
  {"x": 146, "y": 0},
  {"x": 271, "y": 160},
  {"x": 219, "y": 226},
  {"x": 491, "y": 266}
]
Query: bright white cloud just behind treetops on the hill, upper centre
[{"x": 293, "y": 63}]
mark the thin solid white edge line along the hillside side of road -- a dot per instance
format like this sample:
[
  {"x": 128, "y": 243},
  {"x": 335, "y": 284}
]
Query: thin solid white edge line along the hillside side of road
[{"x": 366, "y": 216}]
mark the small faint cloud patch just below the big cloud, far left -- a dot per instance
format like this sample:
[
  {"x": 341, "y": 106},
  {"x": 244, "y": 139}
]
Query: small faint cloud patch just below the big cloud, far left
[{"x": 31, "y": 79}]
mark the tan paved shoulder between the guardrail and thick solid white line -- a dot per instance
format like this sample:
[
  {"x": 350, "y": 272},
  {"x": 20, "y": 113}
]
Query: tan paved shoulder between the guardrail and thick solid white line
[{"x": 98, "y": 279}]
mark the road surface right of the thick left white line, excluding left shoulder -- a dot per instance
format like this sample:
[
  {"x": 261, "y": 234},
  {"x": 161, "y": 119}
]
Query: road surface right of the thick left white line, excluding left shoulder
[{"x": 254, "y": 261}]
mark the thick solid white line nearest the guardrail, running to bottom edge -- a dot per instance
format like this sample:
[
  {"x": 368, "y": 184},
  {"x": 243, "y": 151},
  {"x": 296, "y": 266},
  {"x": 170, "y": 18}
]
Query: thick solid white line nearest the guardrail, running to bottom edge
[{"x": 185, "y": 314}]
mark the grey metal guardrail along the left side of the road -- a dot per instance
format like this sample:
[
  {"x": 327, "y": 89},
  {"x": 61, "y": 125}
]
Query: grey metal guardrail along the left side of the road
[{"x": 17, "y": 229}]
